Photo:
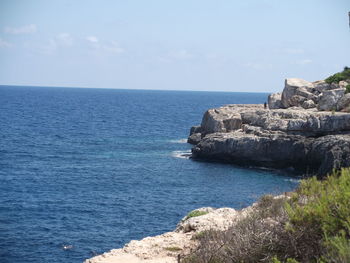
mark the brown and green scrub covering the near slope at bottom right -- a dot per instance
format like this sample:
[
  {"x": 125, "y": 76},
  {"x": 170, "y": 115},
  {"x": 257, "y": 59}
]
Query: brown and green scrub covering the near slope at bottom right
[{"x": 313, "y": 225}]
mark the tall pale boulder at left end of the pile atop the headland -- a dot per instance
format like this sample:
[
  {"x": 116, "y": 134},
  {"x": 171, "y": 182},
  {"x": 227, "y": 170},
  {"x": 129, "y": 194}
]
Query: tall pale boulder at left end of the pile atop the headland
[{"x": 296, "y": 87}]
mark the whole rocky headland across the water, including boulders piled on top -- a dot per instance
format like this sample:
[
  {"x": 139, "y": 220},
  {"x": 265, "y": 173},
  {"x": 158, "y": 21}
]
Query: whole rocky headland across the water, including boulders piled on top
[{"x": 295, "y": 130}]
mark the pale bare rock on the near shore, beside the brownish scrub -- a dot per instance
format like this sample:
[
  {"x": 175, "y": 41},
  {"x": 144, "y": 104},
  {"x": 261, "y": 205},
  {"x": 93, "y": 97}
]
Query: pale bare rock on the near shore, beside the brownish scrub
[{"x": 173, "y": 246}]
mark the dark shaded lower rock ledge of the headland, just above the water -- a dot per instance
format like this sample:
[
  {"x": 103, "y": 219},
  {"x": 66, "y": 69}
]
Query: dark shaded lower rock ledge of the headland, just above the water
[{"x": 320, "y": 155}]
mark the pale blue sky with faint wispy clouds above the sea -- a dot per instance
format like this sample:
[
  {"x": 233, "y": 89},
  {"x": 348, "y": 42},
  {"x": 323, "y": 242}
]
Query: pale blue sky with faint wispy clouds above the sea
[{"x": 221, "y": 45}]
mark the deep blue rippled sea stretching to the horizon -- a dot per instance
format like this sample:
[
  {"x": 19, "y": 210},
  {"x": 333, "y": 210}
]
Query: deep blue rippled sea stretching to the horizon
[{"x": 96, "y": 168}]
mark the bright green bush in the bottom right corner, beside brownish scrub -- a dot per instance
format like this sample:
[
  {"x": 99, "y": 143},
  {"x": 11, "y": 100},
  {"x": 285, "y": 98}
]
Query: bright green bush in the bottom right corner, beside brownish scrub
[{"x": 320, "y": 212}]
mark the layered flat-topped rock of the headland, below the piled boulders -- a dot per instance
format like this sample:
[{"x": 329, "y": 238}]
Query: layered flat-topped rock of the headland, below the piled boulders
[{"x": 310, "y": 140}]
